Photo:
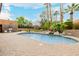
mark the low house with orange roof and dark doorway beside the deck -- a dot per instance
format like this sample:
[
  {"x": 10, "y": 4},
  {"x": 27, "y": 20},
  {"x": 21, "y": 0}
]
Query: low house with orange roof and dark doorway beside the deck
[{"x": 8, "y": 26}]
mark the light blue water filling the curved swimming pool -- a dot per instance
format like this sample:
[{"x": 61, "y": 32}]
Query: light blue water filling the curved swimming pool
[{"x": 50, "y": 39}]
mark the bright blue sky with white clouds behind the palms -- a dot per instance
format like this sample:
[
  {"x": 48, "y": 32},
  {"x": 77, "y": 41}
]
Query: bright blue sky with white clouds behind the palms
[{"x": 30, "y": 11}]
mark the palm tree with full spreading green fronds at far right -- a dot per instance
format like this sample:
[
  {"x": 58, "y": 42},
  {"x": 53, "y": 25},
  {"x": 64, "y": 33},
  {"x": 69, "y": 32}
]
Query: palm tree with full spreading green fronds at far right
[{"x": 71, "y": 9}]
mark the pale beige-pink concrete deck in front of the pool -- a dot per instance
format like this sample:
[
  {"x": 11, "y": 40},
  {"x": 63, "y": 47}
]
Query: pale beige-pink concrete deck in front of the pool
[{"x": 12, "y": 44}]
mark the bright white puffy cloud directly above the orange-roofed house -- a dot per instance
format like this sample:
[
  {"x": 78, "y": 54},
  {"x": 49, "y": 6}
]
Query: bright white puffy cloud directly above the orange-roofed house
[{"x": 5, "y": 14}]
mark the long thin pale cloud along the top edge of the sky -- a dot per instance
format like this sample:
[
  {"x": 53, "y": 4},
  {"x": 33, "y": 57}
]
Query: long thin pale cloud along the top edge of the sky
[{"x": 28, "y": 5}]
